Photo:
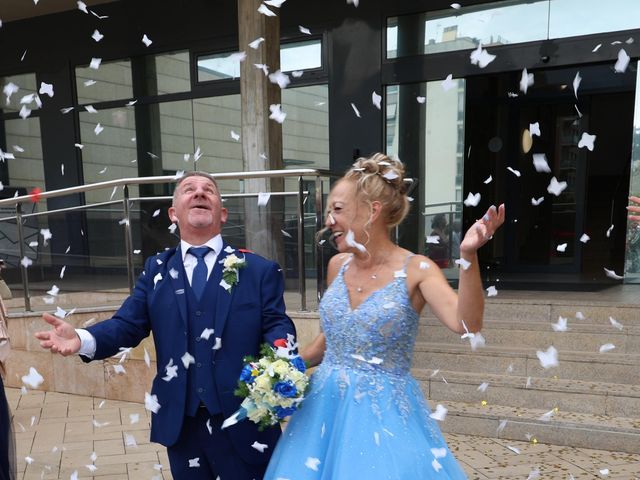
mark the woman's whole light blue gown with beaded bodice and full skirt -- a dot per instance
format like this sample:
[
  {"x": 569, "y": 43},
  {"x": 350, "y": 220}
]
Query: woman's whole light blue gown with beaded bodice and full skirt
[{"x": 364, "y": 416}]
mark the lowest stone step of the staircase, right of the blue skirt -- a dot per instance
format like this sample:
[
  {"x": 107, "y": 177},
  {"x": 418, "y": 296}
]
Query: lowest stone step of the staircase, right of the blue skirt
[{"x": 563, "y": 428}]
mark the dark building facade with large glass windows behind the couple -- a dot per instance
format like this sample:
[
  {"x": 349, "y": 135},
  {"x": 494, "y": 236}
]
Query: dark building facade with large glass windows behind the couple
[{"x": 150, "y": 88}]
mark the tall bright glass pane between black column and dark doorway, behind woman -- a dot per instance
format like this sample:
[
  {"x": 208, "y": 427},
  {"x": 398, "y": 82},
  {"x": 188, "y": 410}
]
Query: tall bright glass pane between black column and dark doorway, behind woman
[{"x": 438, "y": 148}]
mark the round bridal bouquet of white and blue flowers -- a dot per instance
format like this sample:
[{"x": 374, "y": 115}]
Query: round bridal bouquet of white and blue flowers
[{"x": 273, "y": 386}]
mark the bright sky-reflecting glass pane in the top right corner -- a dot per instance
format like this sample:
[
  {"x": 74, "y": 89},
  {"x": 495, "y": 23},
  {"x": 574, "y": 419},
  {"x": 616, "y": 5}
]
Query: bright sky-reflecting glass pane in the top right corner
[{"x": 568, "y": 18}]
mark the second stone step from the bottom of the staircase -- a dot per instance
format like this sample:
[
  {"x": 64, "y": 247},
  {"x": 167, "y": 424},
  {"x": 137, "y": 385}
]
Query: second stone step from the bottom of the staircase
[{"x": 596, "y": 398}]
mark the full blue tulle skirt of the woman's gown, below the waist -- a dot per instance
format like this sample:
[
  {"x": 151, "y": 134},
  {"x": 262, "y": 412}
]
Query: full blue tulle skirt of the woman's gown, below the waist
[{"x": 362, "y": 425}]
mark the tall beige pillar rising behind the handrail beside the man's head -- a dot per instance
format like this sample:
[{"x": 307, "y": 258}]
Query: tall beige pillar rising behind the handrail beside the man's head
[{"x": 261, "y": 137}]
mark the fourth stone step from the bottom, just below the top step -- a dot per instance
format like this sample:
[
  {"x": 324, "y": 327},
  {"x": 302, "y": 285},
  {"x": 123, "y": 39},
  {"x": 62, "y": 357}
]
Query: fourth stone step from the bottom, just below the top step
[{"x": 587, "y": 337}]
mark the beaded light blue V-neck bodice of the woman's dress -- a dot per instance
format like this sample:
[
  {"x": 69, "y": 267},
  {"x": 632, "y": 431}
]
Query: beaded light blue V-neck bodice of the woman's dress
[{"x": 370, "y": 347}]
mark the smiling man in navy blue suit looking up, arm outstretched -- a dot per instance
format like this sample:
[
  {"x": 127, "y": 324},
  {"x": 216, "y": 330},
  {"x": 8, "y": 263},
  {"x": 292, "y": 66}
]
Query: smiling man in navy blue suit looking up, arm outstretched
[{"x": 203, "y": 325}]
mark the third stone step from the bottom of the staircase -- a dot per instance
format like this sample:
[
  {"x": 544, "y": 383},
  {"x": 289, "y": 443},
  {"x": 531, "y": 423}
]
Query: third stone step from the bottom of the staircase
[{"x": 593, "y": 367}]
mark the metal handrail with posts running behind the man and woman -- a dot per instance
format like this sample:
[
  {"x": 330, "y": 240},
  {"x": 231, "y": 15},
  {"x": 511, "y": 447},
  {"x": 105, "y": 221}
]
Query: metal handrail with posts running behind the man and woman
[{"x": 301, "y": 195}]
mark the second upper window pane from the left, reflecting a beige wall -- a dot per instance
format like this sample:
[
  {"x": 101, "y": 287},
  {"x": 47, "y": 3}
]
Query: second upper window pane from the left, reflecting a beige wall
[{"x": 111, "y": 81}]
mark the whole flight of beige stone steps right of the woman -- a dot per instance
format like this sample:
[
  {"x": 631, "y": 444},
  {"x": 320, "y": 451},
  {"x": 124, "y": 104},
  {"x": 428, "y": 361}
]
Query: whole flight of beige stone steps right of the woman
[{"x": 590, "y": 400}]
